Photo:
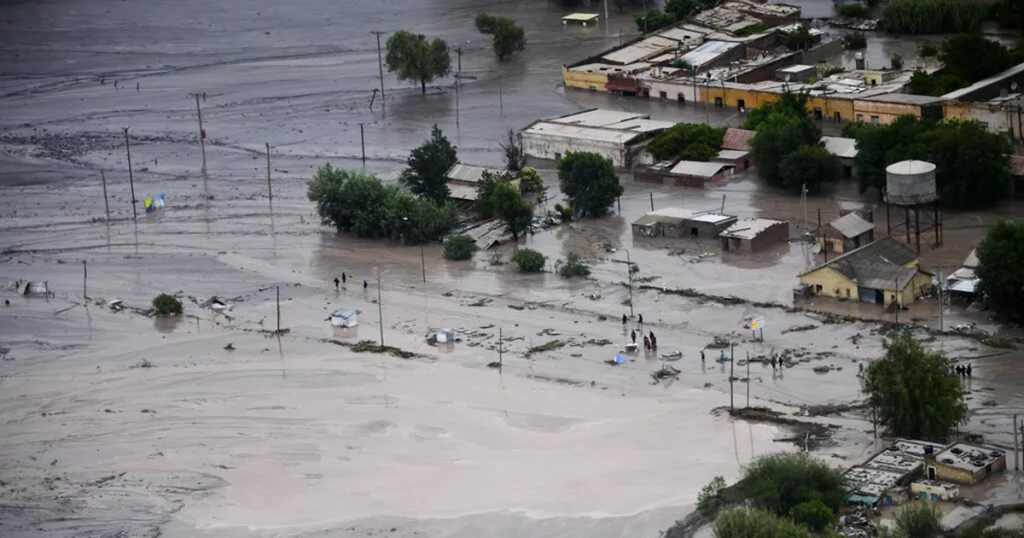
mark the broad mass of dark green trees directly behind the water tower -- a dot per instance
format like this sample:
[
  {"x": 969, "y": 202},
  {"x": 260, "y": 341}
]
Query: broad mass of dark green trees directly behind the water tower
[{"x": 972, "y": 164}]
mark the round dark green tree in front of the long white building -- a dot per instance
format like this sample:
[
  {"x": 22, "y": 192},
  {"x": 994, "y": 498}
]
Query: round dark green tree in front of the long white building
[{"x": 589, "y": 182}]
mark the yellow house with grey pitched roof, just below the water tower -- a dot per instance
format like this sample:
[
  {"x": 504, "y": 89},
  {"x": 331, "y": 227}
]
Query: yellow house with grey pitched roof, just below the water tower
[{"x": 882, "y": 272}]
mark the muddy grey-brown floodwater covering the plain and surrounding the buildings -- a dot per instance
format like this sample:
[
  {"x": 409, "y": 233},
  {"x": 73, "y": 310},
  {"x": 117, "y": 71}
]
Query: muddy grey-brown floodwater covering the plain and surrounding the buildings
[{"x": 118, "y": 423}]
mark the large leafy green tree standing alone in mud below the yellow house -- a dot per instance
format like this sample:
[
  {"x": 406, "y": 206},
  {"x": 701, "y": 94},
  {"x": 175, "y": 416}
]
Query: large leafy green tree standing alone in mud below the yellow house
[{"x": 912, "y": 393}]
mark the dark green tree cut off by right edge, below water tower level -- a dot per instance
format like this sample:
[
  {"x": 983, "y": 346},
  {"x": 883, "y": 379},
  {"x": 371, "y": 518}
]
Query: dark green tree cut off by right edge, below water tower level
[{"x": 1001, "y": 257}]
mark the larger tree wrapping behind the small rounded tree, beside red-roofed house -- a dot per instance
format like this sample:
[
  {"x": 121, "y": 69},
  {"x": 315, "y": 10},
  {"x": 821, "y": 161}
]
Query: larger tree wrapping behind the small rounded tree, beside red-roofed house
[{"x": 778, "y": 137}]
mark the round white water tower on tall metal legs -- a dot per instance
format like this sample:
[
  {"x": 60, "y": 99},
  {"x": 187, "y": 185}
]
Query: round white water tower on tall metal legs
[{"x": 911, "y": 185}]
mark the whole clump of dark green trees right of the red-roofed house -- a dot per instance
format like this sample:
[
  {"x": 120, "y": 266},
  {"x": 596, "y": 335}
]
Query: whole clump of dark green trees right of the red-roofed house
[{"x": 788, "y": 145}]
